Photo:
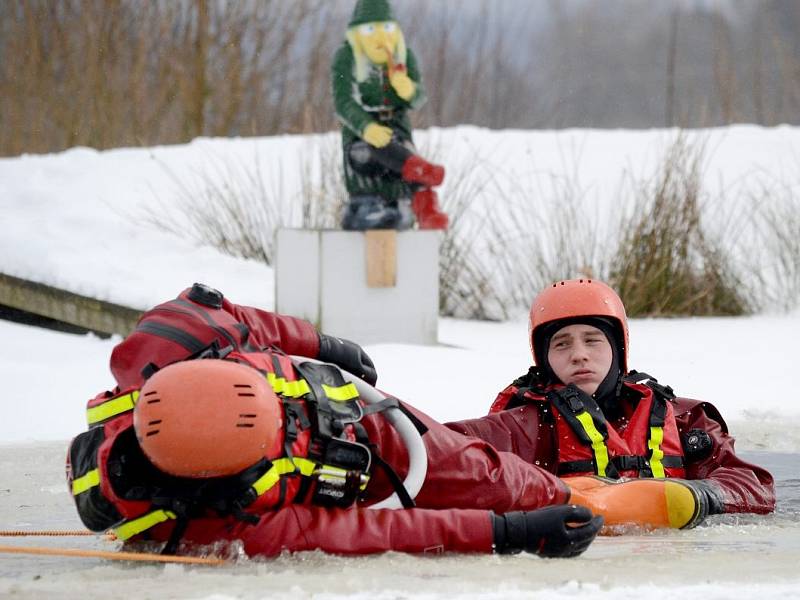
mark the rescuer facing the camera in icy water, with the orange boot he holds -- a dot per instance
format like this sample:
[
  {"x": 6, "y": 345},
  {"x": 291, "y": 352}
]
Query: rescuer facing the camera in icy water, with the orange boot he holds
[{"x": 580, "y": 413}]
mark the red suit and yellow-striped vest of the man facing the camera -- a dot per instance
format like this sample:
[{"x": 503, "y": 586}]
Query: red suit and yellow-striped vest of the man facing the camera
[{"x": 527, "y": 420}]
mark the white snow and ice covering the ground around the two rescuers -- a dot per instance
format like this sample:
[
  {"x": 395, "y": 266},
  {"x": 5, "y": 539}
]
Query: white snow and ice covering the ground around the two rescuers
[{"x": 73, "y": 220}]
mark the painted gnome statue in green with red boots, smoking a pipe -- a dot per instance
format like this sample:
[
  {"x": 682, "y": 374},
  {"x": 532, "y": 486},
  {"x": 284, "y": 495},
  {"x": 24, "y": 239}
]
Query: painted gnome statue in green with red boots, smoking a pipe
[{"x": 376, "y": 81}]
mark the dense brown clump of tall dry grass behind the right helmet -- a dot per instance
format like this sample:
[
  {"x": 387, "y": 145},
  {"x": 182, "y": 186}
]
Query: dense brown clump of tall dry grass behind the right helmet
[{"x": 665, "y": 263}]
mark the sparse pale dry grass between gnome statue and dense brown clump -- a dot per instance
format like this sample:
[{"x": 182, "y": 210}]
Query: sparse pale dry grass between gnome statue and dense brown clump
[{"x": 511, "y": 234}]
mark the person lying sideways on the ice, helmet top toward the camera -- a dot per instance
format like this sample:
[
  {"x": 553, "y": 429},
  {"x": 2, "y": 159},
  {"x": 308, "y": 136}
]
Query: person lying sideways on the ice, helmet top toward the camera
[{"x": 216, "y": 433}]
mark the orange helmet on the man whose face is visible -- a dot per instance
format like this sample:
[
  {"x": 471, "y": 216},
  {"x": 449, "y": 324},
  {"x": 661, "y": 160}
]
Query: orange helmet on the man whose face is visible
[{"x": 573, "y": 299}]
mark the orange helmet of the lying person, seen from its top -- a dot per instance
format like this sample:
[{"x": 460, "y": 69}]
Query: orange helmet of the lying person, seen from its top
[{"x": 207, "y": 418}]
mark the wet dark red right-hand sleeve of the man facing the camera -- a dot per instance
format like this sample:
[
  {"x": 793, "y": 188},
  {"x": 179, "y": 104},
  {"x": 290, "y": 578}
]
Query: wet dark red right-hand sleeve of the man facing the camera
[{"x": 744, "y": 487}]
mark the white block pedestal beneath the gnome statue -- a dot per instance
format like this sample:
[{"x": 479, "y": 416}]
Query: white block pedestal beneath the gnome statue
[{"x": 342, "y": 282}]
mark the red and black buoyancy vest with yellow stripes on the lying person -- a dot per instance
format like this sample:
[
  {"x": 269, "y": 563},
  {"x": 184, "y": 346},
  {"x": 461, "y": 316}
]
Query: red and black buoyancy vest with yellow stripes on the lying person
[{"x": 325, "y": 458}]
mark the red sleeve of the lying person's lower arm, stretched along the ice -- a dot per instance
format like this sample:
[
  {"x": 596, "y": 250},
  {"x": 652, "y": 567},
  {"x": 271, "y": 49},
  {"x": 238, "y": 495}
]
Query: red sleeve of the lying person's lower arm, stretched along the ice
[{"x": 355, "y": 531}]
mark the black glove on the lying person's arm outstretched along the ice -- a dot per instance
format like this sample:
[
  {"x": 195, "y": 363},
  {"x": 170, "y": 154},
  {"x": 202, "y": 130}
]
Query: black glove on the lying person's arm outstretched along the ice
[{"x": 547, "y": 531}]
